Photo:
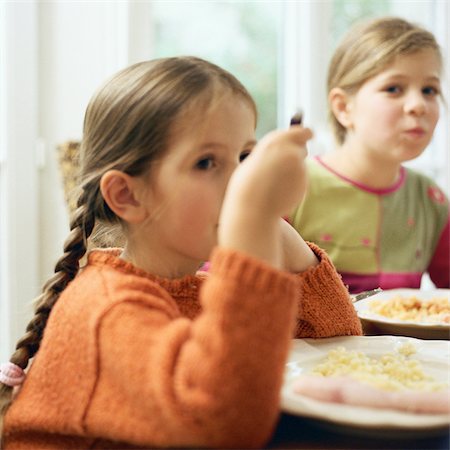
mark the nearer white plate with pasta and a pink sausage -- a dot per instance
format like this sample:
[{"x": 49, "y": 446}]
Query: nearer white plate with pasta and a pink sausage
[{"x": 370, "y": 383}]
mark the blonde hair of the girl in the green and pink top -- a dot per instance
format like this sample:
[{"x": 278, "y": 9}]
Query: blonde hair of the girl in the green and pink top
[{"x": 367, "y": 49}]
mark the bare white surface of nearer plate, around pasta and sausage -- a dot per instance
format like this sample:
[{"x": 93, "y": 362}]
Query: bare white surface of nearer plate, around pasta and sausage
[{"x": 307, "y": 353}]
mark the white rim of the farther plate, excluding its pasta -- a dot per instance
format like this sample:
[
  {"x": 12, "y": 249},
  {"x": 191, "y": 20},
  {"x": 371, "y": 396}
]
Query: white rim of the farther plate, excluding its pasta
[{"x": 376, "y": 324}]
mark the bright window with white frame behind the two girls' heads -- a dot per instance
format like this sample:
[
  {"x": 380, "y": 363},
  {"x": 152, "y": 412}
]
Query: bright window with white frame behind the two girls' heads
[{"x": 280, "y": 51}]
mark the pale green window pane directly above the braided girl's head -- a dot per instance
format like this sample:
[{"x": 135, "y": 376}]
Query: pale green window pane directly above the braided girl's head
[{"x": 242, "y": 37}]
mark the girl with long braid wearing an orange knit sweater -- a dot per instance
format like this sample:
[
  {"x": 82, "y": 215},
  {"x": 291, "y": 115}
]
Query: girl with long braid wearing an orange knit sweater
[{"x": 136, "y": 349}]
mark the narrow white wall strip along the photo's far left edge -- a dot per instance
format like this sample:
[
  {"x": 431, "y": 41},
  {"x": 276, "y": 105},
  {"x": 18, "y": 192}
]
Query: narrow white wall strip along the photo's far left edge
[{"x": 19, "y": 237}]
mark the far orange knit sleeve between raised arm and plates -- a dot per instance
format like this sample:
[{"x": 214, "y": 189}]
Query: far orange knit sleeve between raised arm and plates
[{"x": 324, "y": 305}]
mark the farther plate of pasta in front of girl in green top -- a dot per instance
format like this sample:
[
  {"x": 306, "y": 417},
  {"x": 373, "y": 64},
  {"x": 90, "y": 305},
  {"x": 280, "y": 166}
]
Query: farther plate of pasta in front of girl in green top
[{"x": 417, "y": 313}]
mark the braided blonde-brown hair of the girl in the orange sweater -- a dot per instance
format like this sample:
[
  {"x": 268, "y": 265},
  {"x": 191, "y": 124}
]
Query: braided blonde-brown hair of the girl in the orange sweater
[{"x": 127, "y": 126}]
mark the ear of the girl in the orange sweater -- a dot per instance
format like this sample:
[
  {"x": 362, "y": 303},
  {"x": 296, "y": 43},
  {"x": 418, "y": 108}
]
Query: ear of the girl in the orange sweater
[{"x": 119, "y": 191}]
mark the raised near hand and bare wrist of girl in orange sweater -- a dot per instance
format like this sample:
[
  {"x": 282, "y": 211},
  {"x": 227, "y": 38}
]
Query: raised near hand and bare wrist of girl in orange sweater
[{"x": 266, "y": 186}]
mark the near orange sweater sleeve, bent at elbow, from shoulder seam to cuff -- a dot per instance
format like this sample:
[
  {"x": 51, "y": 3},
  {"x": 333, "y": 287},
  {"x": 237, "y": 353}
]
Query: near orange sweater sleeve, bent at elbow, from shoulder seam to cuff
[{"x": 210, "y": 382}]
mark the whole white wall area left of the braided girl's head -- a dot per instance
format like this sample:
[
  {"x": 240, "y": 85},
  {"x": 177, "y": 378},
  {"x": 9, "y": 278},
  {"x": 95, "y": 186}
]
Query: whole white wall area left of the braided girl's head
[{"x": 56, "y": 54}]
